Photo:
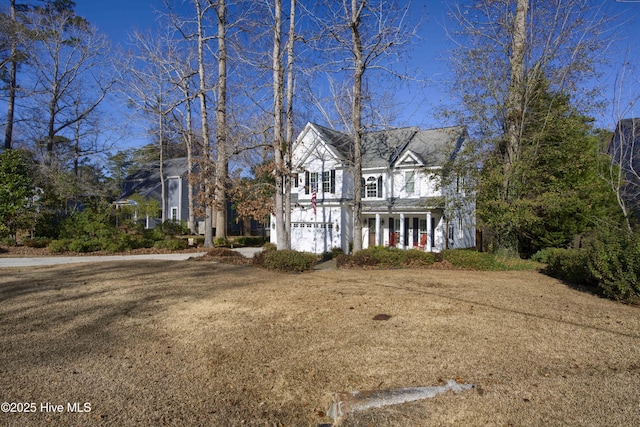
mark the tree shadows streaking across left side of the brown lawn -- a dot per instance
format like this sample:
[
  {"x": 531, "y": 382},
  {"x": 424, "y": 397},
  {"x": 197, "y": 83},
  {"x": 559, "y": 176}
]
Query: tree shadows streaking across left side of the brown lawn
[{"x": 72, "y": 311}]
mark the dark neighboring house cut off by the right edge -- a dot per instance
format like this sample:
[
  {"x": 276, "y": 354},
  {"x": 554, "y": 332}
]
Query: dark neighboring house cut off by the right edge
[{"x": 625, "y": 151}]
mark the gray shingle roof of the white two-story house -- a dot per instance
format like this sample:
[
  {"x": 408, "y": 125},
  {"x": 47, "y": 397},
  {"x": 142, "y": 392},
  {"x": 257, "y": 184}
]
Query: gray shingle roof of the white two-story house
[{"x": 381, "y": 149}]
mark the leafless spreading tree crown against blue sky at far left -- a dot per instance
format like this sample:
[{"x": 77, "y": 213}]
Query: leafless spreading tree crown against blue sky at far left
[{"x": 69, "y": 54}]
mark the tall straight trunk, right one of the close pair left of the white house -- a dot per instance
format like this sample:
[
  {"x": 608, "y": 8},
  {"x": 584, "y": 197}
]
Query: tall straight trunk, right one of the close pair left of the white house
[{"x": 222, "y": 165}]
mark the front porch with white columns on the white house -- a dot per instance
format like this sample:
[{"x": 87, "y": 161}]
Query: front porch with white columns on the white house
[{"x": 405, "y": 230}]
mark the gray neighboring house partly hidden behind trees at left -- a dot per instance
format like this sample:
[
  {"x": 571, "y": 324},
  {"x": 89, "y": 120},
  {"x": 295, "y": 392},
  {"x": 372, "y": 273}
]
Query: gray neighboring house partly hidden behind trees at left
[{"x": 146, "y": 183}]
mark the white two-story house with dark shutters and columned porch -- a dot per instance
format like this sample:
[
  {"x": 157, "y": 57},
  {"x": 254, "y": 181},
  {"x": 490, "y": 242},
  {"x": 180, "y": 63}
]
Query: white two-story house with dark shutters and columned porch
[{"x": 403, "y": 203}]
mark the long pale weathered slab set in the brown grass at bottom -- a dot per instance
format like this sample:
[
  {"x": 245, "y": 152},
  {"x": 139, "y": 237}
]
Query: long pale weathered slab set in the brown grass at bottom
[{"x": 355, "y": 401}]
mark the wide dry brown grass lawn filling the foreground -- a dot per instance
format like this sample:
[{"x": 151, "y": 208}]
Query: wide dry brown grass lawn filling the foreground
[{"x": 196, "y": 343}]
